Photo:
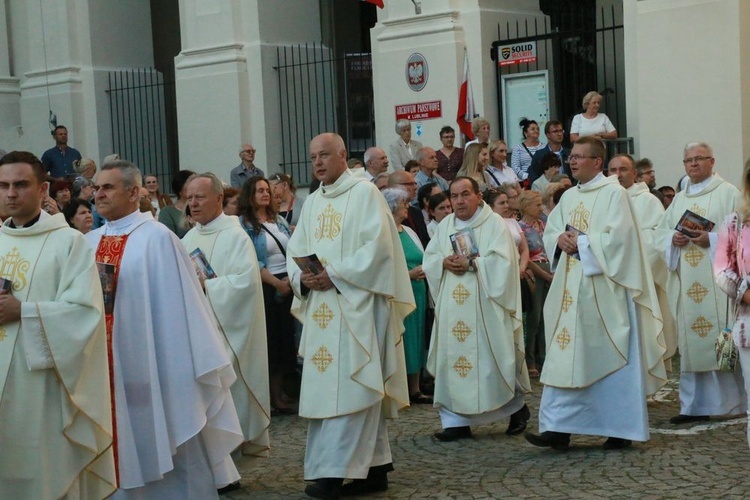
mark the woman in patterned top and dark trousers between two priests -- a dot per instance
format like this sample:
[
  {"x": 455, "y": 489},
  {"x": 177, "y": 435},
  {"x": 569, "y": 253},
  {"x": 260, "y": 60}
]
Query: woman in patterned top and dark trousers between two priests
[{"x": 530, "y": 205}]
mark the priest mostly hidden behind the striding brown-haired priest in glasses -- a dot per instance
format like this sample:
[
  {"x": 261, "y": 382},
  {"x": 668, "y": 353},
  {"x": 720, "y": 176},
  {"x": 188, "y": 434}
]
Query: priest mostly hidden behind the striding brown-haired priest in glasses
[{"x": 649, "y": 212}]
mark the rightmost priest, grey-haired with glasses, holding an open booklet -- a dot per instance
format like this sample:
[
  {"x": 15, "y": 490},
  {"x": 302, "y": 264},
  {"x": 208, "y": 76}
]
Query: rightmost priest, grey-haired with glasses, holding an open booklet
[{"x": 698, "y": 304}]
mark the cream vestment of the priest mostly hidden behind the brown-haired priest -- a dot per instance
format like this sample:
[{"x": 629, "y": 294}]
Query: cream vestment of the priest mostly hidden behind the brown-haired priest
[{"x": 649, "y": 212}]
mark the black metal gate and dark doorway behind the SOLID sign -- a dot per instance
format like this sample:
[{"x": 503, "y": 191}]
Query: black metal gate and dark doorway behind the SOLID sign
[{"x": 582, "y": 48}]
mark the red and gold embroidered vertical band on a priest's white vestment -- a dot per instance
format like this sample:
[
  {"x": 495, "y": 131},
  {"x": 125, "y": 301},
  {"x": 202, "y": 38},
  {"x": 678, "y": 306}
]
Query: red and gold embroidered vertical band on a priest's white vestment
[{"x": 108, "y": 257}]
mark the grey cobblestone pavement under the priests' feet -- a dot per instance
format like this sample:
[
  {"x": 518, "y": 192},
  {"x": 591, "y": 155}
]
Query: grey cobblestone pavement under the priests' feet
[{"x": 702, "y": 461}]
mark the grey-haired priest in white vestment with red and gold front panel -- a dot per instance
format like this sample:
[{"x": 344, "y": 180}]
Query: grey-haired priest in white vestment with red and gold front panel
[{"x": 175, "y": 420}]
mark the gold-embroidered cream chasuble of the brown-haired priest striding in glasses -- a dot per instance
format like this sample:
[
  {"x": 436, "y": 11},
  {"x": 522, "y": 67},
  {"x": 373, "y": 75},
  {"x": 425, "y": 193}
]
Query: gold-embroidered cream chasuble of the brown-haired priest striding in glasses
[{"x": 586, "y": 317}]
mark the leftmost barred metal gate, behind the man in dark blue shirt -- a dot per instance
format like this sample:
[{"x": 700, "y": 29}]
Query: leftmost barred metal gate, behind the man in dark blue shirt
[{"x": 144, "y": 121}]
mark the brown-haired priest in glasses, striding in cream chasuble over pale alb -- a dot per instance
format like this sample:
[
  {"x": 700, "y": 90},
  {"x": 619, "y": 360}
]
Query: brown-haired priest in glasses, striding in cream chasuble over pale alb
[{"x": 602, "y": 317}]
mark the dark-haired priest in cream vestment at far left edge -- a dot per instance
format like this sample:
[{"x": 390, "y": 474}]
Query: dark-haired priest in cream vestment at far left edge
[{"x": 56, "y": 431}]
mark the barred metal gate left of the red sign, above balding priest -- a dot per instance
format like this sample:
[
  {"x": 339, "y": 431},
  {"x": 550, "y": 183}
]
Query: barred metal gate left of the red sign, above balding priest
[{"x": 322, "y": 93}]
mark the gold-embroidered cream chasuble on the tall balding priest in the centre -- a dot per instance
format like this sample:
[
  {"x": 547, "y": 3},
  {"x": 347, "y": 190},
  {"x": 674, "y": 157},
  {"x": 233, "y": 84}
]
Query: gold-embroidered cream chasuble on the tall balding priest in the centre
[{"x": 351, "y": 230}]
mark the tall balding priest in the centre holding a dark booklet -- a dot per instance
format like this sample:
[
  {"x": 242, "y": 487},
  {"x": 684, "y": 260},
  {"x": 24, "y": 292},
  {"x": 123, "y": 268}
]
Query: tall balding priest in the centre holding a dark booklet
[{"x": 354, "y": 371}]
